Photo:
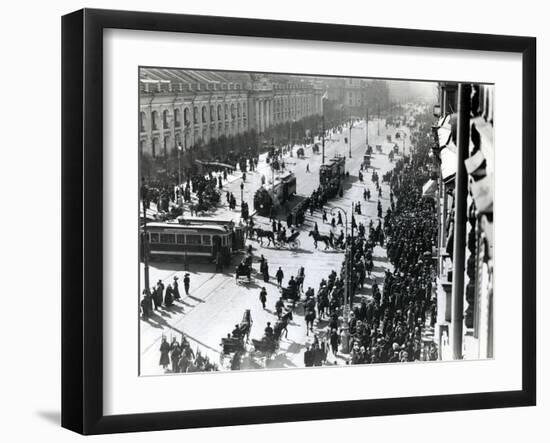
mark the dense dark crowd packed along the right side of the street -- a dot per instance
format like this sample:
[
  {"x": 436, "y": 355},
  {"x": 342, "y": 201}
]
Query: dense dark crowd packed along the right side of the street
[{"x": 388, "y": 325}]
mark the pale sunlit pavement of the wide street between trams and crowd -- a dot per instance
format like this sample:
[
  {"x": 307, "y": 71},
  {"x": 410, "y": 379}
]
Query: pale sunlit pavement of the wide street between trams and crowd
[{"x": 217, "y": 301}]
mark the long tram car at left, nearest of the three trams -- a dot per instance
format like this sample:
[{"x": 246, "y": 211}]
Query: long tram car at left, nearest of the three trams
[{"x": 192, "y": 239}]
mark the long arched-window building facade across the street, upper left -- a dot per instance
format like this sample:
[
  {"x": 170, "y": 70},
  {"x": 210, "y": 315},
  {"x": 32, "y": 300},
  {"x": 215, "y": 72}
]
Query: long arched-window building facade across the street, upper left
[{"x": 180, "y": 107}]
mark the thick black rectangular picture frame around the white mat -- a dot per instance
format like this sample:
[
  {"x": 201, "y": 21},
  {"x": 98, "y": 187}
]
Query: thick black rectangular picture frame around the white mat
[{"x": 82, "y": 230}]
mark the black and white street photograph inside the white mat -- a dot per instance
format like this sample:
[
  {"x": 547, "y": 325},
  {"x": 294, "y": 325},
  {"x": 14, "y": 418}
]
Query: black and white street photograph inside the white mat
[{"x": 293, "y": 221}]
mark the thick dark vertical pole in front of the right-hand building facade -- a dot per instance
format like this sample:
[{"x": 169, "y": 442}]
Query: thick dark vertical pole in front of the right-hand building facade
[{"x": 461, "y": 194}]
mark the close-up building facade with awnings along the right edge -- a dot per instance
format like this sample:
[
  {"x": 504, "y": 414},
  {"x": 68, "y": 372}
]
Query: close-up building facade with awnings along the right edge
[{"x": 465, "y": 297}]
